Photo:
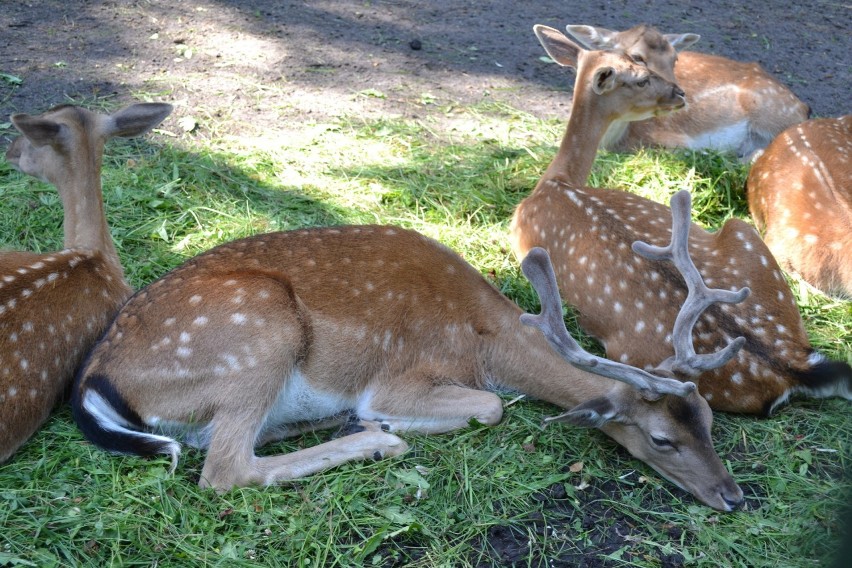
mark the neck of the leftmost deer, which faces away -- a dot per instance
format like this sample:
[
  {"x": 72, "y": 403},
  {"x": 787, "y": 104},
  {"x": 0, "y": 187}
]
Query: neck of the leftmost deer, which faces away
[{"x": 84, "y": 224}]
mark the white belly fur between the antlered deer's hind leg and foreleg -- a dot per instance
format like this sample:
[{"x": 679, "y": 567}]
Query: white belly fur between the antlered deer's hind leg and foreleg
[{"x": 299, "y": 402}]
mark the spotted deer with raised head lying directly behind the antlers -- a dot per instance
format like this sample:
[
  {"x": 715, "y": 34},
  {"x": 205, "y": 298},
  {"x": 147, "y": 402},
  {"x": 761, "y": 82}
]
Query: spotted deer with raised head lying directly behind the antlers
[{"x": 588, "y": 233}]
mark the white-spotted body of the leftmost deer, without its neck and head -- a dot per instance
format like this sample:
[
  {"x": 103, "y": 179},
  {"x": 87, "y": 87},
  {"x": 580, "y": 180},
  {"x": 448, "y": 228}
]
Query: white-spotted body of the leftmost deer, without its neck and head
[{"x": 52, "y": 309}]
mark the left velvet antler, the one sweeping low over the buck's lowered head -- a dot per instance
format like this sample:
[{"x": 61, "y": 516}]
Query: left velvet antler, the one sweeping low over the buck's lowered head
[{"x": 539, "y": 271}]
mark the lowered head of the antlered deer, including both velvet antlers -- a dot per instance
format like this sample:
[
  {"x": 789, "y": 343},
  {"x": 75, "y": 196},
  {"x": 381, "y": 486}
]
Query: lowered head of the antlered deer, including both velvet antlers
[{"x": 672, "y": 452}]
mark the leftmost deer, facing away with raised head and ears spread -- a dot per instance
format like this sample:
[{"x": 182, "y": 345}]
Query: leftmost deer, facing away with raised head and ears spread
[{"x": 54, "y": 306}]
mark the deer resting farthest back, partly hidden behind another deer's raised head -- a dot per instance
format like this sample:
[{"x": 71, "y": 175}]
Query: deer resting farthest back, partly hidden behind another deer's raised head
[{"x": 733, "y": 106}]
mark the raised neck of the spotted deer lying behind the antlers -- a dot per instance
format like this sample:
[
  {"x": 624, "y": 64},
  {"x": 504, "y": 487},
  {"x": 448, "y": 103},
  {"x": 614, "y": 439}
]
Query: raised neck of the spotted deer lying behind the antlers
[{"x": 584, "y": 132}]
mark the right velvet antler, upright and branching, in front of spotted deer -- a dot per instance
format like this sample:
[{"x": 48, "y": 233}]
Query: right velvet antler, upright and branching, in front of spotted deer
[{"x": 699, "y": 297}]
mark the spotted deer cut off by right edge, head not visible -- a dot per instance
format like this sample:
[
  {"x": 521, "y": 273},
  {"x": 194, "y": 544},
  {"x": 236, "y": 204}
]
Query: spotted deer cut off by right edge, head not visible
[{"x": 800, "y": 196}]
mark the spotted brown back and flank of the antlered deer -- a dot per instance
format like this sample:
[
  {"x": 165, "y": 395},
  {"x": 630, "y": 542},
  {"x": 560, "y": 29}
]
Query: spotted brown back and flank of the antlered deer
[{"x": 377, "y": 302}]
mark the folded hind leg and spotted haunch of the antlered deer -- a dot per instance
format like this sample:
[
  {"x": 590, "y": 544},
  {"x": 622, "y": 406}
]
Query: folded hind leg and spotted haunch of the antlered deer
[{"x": 247, "y": 357}]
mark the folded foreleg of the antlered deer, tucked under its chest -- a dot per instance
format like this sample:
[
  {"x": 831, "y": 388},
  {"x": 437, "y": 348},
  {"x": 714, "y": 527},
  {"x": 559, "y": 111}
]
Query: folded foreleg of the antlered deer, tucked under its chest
[{"x": 429, "y": 408}]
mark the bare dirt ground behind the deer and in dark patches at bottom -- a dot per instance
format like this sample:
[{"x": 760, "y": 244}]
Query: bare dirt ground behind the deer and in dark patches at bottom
[{"x": 243, "y": 67}]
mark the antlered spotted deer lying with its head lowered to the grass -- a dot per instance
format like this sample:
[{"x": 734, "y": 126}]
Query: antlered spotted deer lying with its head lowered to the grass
[{"x": 281, "y": 333}]
